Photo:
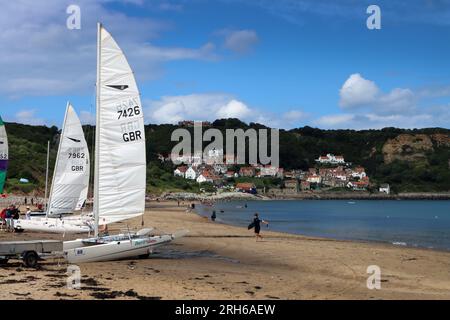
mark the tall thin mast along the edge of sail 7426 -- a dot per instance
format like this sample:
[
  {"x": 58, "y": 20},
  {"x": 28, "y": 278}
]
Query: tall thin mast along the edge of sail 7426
[{"x": 97, "y": 132}]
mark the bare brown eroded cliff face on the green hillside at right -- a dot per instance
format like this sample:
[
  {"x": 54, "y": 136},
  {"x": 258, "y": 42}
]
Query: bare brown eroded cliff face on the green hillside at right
[{"x": 413, "y": 147}]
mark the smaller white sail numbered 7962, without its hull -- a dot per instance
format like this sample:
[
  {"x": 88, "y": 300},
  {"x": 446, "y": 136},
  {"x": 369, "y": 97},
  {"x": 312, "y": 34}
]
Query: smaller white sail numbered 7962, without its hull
[{"x": 71, "y": 175}]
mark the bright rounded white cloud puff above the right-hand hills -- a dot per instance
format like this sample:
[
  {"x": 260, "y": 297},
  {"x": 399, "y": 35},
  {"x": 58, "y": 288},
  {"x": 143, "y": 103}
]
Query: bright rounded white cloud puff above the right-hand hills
[{"x": 357, "y": 91}]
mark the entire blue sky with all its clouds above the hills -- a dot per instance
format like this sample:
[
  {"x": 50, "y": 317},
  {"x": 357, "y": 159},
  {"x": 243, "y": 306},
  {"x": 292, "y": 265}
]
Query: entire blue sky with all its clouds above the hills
[{"x": 286, "y": 63}]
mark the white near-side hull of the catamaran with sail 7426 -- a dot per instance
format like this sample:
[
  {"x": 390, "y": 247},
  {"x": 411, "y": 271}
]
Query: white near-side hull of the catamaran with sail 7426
[{"x": 76, "y": 252}]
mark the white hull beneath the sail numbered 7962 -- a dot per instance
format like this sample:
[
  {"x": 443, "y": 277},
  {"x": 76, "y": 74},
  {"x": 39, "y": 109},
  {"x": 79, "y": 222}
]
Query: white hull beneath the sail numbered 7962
[{"x": 51, "y": 225}]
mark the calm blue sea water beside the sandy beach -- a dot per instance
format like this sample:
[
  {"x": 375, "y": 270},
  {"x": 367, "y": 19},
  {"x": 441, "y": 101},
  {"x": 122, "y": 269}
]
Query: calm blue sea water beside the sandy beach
[{"x": 413, "y": 223}]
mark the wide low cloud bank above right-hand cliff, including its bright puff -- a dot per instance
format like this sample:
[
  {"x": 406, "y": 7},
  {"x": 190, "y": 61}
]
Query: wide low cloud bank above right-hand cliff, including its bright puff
[{"x": 366, "y": 106}]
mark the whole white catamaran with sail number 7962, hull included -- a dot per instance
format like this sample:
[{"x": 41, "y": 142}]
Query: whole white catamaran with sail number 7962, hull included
[{"x": 70, "y": 184}]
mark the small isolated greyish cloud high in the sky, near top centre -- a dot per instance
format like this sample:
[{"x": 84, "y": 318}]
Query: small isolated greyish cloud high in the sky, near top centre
[{"x": 239, "y": 41}]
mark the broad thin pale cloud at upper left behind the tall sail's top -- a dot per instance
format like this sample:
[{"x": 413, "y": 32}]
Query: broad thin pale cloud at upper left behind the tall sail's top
[{"x": 40, "y": 56}]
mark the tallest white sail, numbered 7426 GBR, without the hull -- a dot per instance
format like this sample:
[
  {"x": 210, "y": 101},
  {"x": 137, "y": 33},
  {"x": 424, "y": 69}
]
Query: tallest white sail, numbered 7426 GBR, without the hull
[{"x": 120, "y": 177}]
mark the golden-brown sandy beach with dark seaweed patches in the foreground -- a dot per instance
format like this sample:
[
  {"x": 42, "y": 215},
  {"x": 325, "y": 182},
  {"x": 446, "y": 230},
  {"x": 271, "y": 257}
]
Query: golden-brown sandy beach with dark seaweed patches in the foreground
[{"x": 217, "y": 261}]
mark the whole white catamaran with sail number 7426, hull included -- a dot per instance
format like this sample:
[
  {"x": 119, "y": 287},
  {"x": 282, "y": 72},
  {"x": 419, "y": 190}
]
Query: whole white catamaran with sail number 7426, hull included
[{"x": 120, "y": 162}]
